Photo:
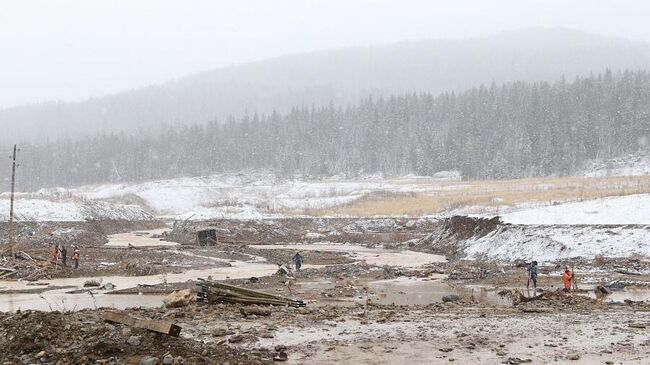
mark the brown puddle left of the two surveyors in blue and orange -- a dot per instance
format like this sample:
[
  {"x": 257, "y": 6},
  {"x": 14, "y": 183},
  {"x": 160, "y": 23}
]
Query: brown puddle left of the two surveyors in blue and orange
[{"x": 414, "y": 291}]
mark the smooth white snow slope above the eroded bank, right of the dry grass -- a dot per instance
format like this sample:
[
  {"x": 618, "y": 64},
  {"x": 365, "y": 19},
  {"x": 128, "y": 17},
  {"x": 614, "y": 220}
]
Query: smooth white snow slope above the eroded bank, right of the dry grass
[{"x": 631, "y": 209}]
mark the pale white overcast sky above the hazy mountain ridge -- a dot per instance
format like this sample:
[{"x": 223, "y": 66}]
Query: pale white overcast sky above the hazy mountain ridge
[{"x": 75, "y": 49}]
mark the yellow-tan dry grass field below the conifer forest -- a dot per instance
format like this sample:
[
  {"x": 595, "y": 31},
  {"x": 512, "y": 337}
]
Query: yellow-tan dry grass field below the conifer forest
[{"x": 486, "y": 195}]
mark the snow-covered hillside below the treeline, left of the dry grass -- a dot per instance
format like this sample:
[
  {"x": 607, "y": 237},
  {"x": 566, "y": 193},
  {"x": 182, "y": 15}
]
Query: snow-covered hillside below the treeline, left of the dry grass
[{"x": 253, "y": 195}]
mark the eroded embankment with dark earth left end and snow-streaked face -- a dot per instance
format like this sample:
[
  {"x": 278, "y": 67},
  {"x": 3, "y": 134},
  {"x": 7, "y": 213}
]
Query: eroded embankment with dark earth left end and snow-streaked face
[{"x": 472, "y": 237}]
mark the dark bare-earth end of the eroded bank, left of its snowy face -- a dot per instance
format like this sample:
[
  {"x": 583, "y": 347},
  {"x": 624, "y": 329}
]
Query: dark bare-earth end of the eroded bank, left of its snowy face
[{"x": 449, "y": 237}]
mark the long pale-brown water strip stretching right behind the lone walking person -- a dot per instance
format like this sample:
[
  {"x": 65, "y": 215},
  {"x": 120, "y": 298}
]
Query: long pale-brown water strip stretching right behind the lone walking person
[{"x": 373, "y": 256}]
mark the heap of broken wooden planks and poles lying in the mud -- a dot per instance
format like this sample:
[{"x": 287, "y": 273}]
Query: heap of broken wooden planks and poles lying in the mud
[{"x": 215, "y": 292}]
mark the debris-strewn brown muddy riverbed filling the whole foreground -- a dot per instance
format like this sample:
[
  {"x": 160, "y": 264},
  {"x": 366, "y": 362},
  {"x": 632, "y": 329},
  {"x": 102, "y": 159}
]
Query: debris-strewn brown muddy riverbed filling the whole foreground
[{"x": 365, "y": 305}]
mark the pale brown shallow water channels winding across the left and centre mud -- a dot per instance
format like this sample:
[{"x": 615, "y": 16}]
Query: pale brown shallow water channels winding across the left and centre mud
[{"x": 58, "y": 299}]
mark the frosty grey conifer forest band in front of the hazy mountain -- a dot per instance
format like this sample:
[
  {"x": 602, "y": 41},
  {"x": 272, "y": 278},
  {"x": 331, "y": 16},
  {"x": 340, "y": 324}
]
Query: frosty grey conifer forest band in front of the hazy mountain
[{"x": 514, "y": 130}]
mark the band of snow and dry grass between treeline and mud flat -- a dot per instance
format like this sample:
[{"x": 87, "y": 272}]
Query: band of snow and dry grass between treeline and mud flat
[{"x": 254, "y": 195}]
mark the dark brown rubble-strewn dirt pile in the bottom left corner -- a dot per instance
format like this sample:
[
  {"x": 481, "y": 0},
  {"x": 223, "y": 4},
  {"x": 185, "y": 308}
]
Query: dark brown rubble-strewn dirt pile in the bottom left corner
[{"x": 84, "y": 338}]
